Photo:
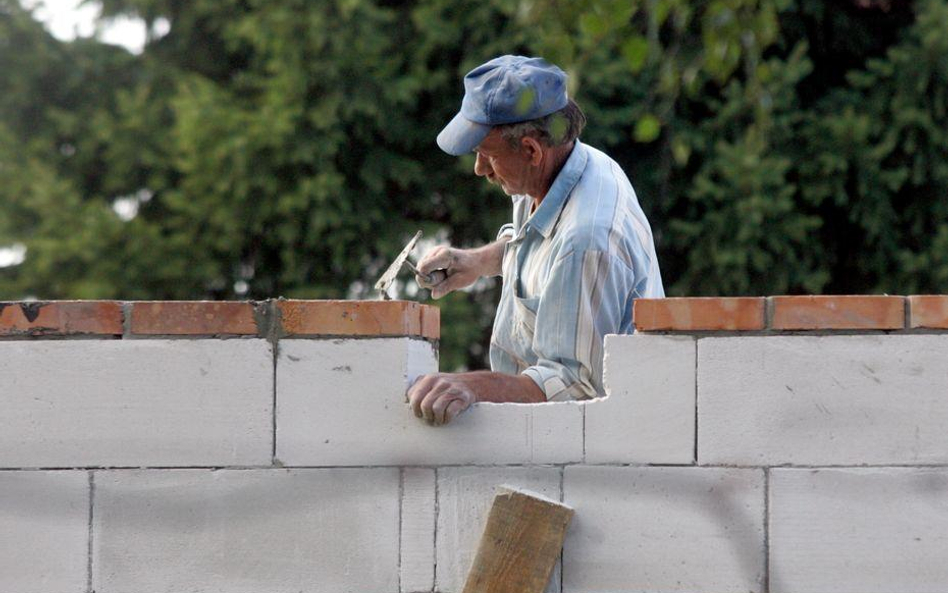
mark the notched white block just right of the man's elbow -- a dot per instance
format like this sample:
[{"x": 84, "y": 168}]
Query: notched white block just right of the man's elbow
[{"x": 649, "y": 415}]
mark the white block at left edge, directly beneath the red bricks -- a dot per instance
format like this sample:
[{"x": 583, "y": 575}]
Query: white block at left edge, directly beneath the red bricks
[{"x": 85, "y": 403}]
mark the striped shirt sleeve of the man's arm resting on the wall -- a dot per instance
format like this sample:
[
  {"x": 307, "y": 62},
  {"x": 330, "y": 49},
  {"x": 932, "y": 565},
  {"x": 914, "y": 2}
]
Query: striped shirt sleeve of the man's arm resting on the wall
[{"x": 585, "y": 298}]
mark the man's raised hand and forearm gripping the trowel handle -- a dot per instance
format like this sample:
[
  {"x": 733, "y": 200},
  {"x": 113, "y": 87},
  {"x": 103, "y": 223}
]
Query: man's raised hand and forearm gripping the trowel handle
[{"x": 462, "y": 266}]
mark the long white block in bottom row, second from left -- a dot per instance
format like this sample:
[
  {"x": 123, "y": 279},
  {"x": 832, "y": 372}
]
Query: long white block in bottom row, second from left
[{"x": 246, "y": 531}]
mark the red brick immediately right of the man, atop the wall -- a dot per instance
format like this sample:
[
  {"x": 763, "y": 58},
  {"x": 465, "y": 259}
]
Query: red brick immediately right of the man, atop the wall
[{"x": 699, "y": 314}]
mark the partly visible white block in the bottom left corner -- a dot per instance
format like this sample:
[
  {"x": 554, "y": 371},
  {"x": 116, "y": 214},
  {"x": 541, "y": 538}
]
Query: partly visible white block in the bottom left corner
[{"x": 44, "y": 531}]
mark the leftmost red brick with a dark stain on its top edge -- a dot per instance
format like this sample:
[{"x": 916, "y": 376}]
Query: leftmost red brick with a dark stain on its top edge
[{"x": 61, "y": 318}]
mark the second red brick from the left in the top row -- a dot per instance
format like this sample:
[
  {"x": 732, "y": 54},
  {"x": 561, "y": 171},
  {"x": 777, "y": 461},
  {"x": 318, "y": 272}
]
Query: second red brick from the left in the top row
[{"x": 193, "y": 318}]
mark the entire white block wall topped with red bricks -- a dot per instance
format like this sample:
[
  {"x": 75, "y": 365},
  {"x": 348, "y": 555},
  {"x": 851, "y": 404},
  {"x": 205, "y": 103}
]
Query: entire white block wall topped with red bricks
[{"x": 788, "y": 444}]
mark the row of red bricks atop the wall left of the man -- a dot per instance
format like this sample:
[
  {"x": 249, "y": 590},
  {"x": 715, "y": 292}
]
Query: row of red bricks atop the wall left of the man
[{"x": 274, "y": 317}]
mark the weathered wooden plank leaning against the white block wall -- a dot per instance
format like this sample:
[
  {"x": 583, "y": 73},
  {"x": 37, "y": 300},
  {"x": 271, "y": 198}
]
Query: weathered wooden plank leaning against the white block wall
[{"x": 521, "y": 543}]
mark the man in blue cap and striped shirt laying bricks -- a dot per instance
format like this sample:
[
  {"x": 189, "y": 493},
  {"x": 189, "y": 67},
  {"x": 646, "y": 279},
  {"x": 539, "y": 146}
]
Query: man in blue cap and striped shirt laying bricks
[{"x": 577, "y": 253}]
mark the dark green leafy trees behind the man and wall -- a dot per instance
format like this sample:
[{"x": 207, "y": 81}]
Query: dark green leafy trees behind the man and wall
[{"x": 265, "y": 149}]
